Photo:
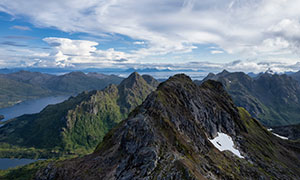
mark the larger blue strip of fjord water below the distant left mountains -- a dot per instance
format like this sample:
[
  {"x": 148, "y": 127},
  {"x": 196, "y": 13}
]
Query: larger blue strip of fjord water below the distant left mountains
[{"x": 30, "y": 106}]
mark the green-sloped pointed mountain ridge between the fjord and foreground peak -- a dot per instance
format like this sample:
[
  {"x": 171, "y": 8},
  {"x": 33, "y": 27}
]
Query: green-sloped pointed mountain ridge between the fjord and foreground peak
[{"x": 78, "y": 124}]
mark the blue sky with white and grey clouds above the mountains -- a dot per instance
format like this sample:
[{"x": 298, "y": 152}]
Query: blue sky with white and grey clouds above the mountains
[{"x": 238, "y": 35}]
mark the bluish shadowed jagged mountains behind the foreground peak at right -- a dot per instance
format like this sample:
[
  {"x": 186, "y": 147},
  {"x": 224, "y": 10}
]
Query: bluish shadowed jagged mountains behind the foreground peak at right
[{"x": 273, "y": 99}]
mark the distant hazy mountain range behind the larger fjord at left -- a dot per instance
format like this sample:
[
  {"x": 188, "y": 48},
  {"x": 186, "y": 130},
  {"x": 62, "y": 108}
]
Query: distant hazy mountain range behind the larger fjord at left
[{"x": 23, "y": 85}]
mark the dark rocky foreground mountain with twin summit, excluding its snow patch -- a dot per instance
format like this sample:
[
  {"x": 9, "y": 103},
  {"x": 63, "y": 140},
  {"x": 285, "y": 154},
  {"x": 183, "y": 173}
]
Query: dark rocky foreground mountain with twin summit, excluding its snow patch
[{"x": 167, "y": 137}]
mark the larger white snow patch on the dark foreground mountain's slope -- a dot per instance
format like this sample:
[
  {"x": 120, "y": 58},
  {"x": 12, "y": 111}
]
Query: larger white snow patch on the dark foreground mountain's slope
[{"x": 224, "y": 142}]
